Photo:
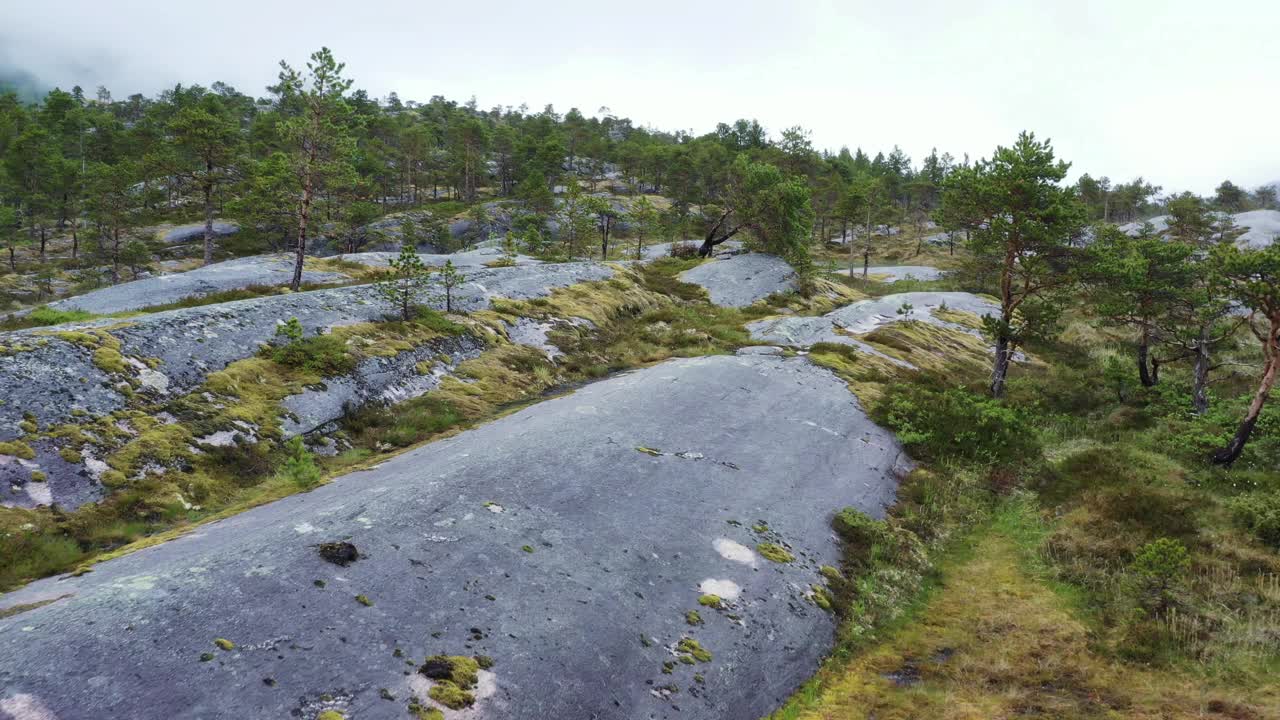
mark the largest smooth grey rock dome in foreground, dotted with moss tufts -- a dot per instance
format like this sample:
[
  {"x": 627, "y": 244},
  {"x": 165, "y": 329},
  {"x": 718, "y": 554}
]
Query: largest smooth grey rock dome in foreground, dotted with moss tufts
[{"x": 624, "y": 545}]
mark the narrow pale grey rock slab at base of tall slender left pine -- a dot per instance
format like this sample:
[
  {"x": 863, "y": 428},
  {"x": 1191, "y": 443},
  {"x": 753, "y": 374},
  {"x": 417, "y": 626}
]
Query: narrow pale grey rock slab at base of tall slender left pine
[{"x": 163, "y": 290}]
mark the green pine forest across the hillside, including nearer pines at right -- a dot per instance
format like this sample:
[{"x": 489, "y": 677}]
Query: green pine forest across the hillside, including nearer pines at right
[{"x": 316, "y": 157}]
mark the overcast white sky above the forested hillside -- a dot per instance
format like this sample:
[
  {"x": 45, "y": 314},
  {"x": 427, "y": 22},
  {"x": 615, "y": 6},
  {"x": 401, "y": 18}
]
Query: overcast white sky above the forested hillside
[{"x": 1183, "y": 93}]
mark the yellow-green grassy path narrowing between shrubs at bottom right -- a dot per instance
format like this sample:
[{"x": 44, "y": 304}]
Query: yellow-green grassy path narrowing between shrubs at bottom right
[{"x": 995, "y": 640}]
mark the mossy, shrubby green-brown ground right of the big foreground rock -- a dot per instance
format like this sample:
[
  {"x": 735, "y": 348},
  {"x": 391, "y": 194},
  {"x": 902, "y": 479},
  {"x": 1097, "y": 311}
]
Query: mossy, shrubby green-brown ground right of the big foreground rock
[{"x": 1066, "y": 553}]
